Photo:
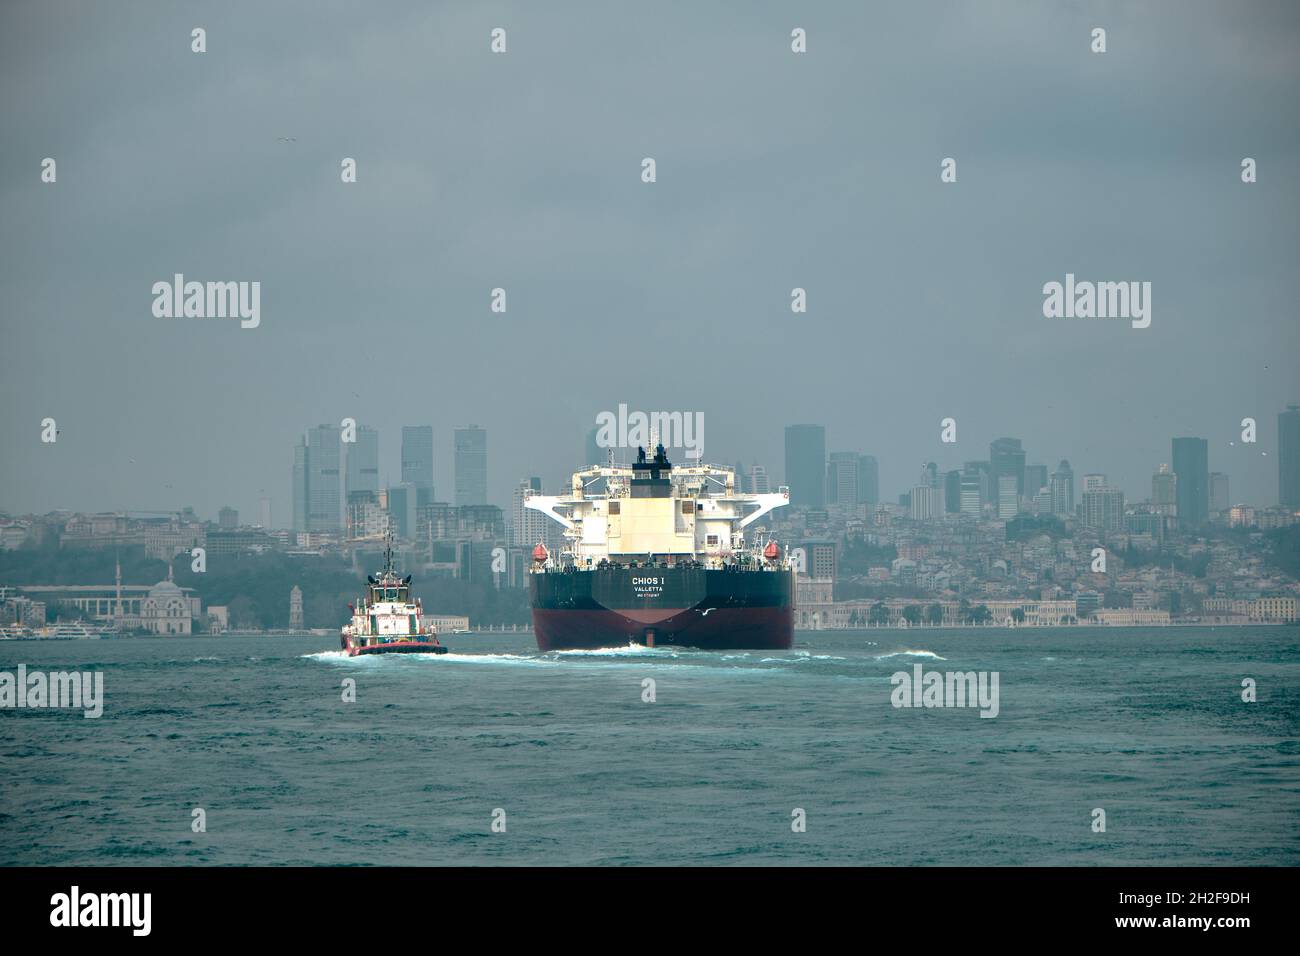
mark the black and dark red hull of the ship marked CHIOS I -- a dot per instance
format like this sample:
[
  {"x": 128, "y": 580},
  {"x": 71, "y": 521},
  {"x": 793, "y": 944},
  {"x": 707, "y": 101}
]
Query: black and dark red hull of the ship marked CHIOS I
[{"x": 696, "y": 608}]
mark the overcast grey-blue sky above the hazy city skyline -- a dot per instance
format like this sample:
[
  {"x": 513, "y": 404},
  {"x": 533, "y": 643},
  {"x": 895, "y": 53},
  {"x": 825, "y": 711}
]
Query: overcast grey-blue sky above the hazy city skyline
[{"x": 523, "y": 171}]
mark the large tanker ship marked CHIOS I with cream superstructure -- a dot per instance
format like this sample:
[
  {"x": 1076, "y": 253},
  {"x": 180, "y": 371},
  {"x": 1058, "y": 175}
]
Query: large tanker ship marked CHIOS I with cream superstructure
[{"x": 662, "y": 557}]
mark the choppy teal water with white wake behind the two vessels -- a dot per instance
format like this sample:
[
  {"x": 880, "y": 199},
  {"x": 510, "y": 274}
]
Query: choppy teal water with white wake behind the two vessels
[{"x": 1149, "y": 725}]
